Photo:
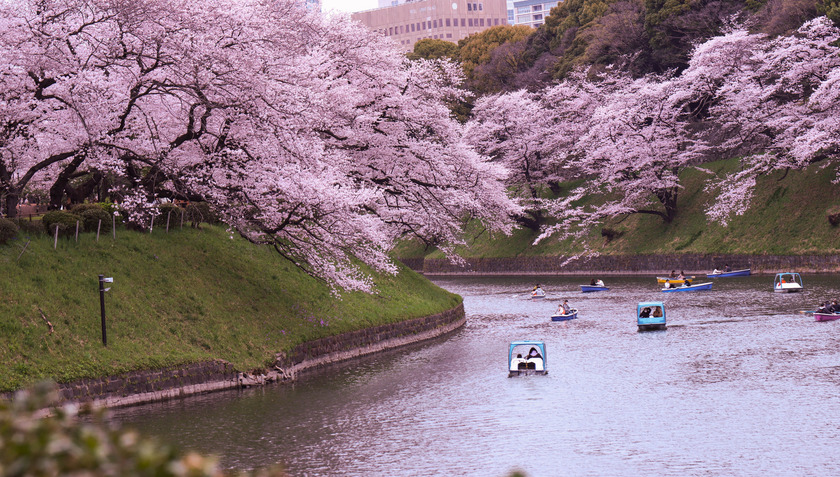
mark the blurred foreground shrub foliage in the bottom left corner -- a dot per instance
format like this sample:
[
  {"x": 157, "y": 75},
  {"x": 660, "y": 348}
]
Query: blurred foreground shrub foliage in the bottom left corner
[{"x": 40, "y": 439}]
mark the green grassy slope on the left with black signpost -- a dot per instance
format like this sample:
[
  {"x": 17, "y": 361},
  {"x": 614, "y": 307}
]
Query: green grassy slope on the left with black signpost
[{"x": 177, "y": 298}]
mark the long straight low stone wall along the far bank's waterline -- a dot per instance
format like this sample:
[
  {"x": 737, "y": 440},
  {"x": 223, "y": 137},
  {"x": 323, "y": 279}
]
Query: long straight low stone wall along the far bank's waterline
[{"x": 692, "y": 263}]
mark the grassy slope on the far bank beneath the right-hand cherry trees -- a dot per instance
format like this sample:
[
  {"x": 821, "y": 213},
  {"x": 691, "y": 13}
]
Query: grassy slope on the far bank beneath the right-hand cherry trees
[{"x": 787, "y": 217}]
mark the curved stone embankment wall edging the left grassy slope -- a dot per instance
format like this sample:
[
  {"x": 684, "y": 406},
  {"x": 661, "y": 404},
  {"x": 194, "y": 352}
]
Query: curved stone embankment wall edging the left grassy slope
[{"x": 163, "y": 384}]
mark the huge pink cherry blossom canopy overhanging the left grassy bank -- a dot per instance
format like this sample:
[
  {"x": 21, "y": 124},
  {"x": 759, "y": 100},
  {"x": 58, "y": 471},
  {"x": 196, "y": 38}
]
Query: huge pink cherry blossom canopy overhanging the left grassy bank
[{"x": 313, "y": 135}]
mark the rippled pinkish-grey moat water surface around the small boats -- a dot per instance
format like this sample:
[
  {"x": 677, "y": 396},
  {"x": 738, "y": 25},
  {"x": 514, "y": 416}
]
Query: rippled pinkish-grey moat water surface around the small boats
[{"x": 740, "y": 384}]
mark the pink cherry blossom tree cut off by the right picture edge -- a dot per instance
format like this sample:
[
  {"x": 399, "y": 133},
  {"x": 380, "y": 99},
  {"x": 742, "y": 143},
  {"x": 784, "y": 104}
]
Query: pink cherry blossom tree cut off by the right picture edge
[{"x": 778, "y": 109}]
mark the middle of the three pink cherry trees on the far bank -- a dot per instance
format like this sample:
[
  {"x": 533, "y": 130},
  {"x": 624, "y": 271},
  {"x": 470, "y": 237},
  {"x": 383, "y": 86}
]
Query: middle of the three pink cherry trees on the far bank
[{"x": 637, "y": 143}]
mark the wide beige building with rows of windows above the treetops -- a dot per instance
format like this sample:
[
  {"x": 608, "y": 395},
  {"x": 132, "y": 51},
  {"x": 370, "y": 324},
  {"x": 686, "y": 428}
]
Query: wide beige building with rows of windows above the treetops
[{"x": 449, "y": 20}]
